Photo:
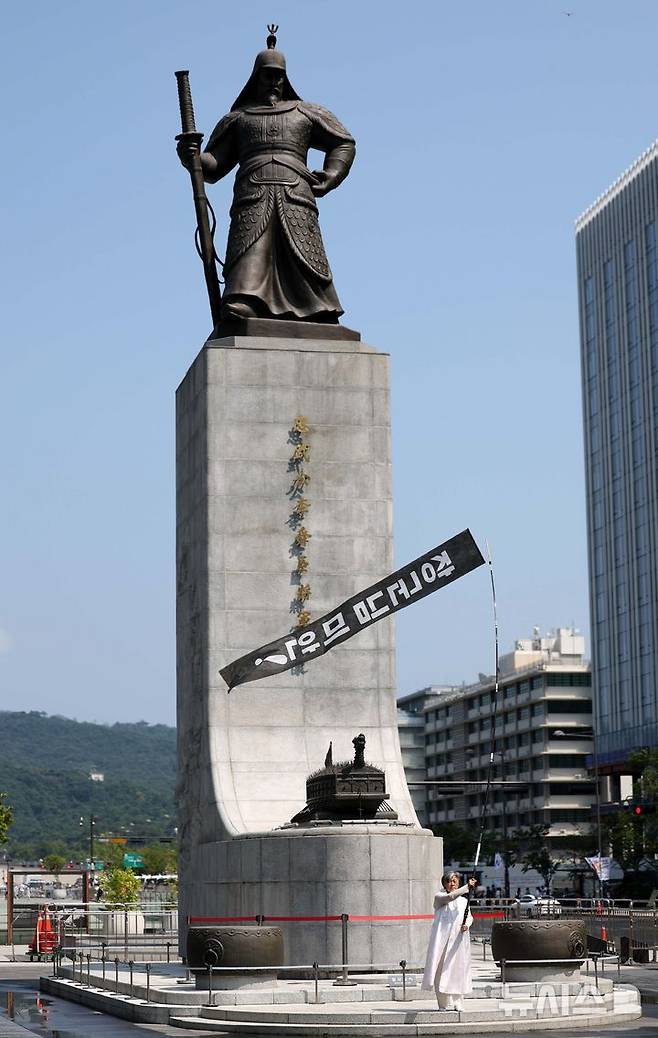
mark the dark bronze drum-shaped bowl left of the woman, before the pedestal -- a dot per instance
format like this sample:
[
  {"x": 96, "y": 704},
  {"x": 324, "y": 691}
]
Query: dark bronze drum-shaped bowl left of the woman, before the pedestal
[{"x": 235, "y": 947}]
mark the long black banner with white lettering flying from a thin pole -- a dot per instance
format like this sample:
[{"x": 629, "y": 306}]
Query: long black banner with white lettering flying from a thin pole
[{"x": 437, "y": 568}]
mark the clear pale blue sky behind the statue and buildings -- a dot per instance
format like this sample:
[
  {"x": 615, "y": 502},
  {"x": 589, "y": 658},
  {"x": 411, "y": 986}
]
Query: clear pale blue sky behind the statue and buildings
[{"x": 483, "y": 130}]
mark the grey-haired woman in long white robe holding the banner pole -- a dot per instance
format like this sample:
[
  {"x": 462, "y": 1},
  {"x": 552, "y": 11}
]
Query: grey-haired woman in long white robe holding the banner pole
[{"x": 448, "y": 964}]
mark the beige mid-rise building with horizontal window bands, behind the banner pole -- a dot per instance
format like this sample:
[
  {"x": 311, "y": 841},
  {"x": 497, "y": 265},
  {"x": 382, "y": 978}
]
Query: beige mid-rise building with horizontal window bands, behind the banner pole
[{"x": 542, "y": 736}]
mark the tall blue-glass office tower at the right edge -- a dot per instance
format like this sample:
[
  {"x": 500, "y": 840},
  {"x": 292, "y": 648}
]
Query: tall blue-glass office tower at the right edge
[{"x": 618, "y": 287}]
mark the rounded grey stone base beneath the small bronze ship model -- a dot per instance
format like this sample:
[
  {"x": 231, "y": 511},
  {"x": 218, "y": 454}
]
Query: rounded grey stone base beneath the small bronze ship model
[{"x": 363, "y": 870}]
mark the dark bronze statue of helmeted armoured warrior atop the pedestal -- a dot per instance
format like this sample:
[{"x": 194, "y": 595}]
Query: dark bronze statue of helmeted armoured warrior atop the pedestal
[{"x": 276, "y": 265}]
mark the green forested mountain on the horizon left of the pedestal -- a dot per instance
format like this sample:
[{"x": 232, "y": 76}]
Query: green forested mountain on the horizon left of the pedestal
[{"x": 46, "y": 766}]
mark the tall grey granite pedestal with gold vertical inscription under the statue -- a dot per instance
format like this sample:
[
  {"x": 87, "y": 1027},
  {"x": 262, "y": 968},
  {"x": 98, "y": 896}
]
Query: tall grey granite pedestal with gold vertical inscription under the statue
[{"x": 244, "y": 758}]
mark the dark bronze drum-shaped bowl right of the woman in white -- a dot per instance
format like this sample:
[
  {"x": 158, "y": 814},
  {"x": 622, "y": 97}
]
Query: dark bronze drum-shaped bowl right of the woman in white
[{"x": 536, "y": 940}]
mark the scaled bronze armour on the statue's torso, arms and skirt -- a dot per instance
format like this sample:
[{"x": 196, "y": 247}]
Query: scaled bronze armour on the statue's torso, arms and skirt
[{"x": 273, "y": 185}]
